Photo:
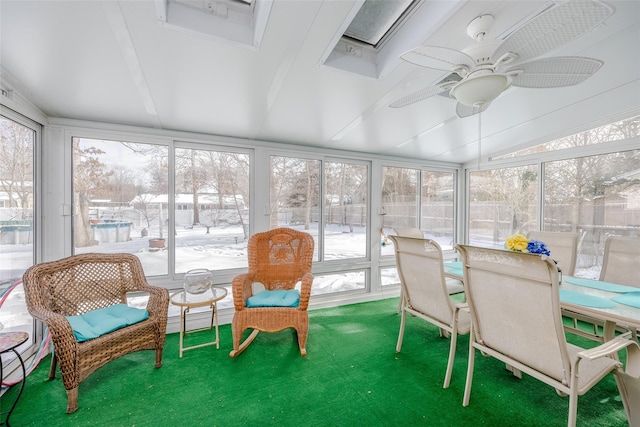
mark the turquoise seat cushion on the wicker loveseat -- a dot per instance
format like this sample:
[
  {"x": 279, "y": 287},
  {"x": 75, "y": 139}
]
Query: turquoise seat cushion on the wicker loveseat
[{"x": 104, "y": 320}]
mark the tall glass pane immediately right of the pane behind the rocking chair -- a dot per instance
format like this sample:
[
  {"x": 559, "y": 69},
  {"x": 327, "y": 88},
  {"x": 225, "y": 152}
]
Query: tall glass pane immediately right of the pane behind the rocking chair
[{"x": 345, "y": 228}]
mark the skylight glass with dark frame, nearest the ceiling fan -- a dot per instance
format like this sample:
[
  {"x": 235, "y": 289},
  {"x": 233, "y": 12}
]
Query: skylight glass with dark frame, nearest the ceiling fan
[{"x": 376, "y": 18}]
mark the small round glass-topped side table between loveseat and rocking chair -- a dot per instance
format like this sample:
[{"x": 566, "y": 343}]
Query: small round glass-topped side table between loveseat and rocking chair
[{"x": 186, "y": 301}]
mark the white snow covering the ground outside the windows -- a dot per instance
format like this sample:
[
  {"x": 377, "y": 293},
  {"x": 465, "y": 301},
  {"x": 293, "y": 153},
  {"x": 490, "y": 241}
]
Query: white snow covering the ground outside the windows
[{"x": 223, "y": 247}]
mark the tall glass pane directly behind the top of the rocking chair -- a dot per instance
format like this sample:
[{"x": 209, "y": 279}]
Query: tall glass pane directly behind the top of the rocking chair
[{"x": 295, "y": 195}]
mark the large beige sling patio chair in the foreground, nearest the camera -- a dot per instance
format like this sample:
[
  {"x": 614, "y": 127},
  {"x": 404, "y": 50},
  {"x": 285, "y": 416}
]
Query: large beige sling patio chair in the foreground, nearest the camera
[{"x": 514, "y": 302}]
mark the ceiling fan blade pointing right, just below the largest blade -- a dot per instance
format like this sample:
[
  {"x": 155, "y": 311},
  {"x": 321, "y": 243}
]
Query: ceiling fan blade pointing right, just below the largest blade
[{"x": 554, "y": 72}]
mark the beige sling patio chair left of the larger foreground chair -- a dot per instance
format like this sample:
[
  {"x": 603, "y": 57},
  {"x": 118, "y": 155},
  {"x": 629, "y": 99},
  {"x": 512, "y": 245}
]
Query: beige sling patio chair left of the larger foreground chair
[{"x": 424, "y": 292}]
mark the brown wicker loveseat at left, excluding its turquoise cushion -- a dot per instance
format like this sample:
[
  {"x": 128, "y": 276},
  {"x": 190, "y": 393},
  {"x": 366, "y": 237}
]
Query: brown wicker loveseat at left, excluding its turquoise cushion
[{"x": 79, "y": 284}]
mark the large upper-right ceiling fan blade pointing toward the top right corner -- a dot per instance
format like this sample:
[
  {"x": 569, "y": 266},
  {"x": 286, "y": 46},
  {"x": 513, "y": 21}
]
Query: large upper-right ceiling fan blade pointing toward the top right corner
[{"x": 554, "y": 28}]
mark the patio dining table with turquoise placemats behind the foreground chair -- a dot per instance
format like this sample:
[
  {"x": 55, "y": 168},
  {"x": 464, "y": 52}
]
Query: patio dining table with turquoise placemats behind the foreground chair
[{"x": 615, "y": 305}]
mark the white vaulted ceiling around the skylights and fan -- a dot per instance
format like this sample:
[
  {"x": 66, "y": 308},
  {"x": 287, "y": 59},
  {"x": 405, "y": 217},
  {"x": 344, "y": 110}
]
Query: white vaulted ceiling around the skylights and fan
[{"x": 116, "y": 62}]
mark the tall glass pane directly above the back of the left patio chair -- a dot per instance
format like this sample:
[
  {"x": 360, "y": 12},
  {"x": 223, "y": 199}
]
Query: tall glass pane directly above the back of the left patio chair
[{"x": 438, "y": 207}]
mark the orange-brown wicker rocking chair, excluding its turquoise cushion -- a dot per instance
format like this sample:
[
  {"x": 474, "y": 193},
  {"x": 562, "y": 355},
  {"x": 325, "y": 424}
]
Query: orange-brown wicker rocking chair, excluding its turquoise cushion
[{"x": 278, "y": 260}]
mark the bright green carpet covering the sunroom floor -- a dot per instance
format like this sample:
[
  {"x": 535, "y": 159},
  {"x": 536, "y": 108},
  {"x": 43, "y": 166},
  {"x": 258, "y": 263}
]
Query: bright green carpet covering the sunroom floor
[{"x": 352, "y": 376}]
